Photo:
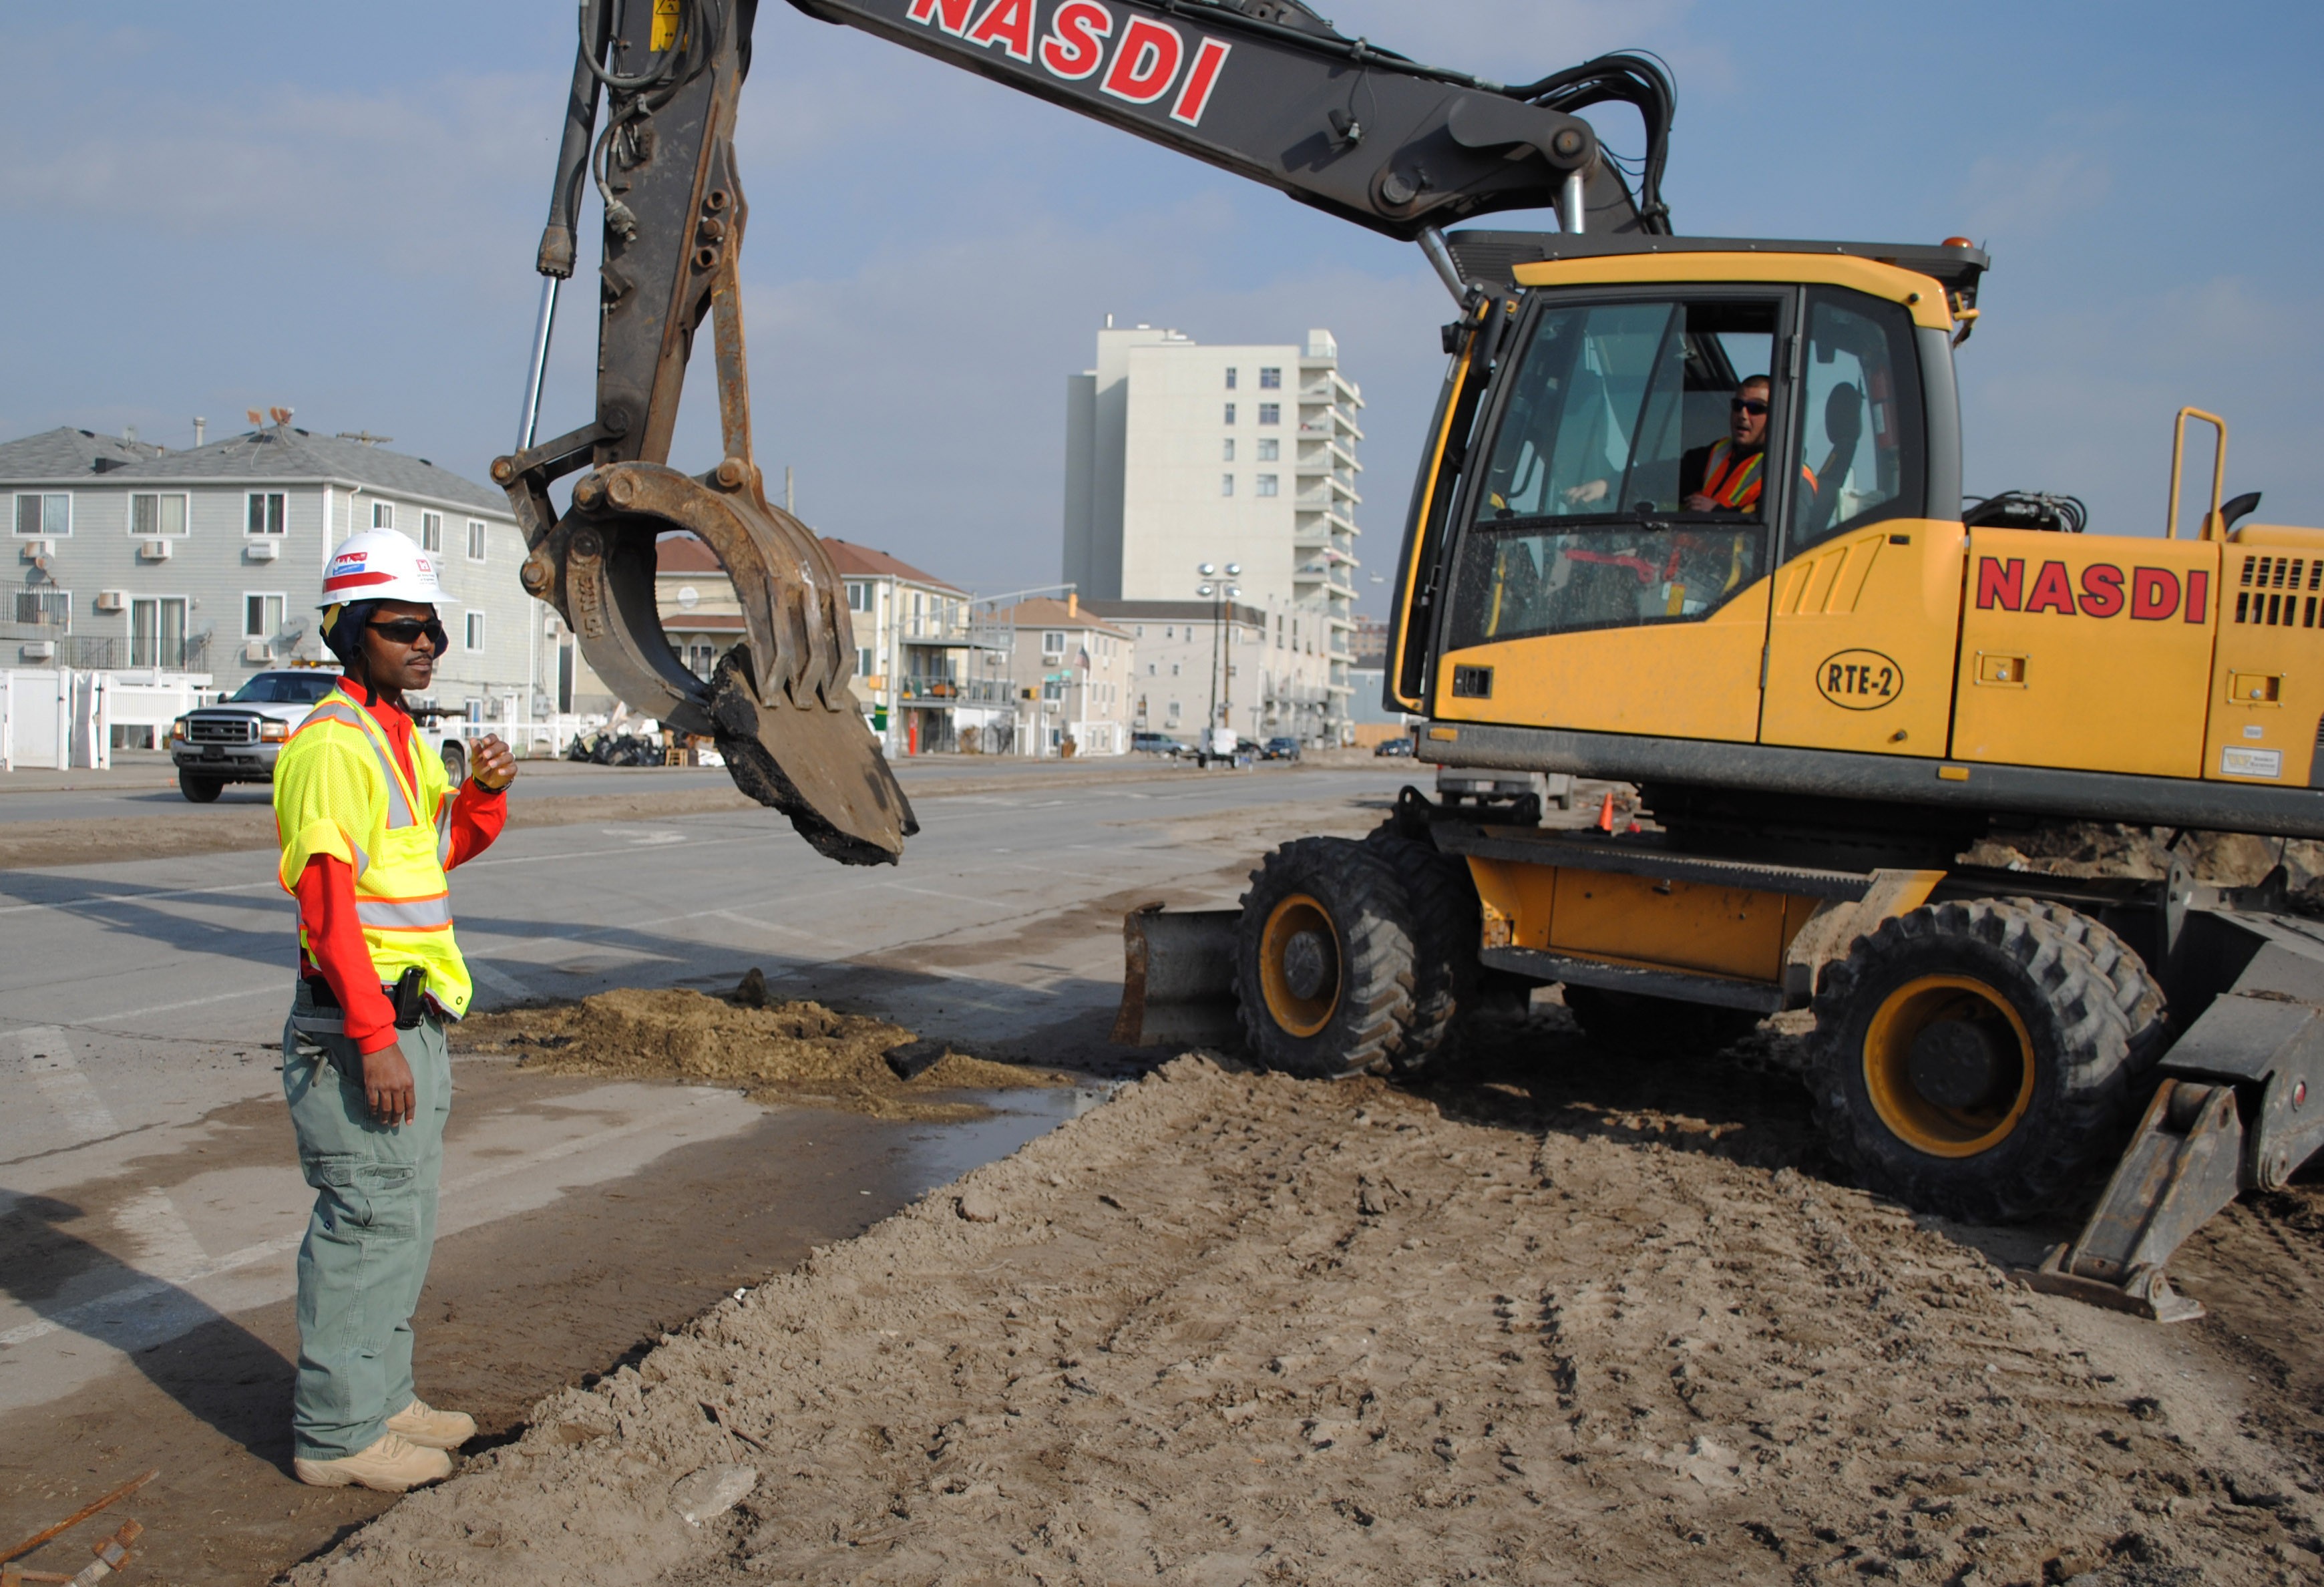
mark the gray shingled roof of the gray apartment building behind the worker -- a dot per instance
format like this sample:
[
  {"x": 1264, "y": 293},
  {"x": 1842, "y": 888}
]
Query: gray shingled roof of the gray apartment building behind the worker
[{"x": 278, "y": 452}]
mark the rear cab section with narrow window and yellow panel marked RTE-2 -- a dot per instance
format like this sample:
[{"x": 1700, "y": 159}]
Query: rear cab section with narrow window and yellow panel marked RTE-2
[{"x": 1870, "y": 591}]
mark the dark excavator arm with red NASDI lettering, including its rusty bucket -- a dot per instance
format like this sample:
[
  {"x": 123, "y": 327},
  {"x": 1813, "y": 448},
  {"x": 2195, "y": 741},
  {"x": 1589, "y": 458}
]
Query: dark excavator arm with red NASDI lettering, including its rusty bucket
[{"x": 1256, "y": 87}]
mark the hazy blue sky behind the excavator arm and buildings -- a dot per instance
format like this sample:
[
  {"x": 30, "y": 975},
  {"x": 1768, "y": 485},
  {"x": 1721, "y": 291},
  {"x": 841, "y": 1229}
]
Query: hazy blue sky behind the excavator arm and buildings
[{"x": 336, "y": 208}]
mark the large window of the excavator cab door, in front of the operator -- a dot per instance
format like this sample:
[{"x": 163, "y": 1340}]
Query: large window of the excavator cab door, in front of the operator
[{"x": 1581, "y": 517}]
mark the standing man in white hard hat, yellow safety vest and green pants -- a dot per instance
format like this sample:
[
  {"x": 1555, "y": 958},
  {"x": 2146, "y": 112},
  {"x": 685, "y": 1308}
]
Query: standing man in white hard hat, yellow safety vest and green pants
[{"x": 368, "y": 828}]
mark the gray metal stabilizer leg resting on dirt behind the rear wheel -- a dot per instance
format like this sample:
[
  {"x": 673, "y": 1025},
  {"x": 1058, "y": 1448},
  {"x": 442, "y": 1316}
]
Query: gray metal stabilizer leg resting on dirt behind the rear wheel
[{"x": 2241, "y": 1107}]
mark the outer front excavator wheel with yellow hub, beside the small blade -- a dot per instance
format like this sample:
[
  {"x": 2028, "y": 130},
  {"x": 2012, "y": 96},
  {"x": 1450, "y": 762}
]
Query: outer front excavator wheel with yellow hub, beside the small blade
[{"x": 1324, "y": 961}]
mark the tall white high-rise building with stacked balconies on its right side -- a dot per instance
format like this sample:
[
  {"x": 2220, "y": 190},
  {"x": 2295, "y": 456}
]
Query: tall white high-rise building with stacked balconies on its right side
[{"x": 1182, "y": 454}]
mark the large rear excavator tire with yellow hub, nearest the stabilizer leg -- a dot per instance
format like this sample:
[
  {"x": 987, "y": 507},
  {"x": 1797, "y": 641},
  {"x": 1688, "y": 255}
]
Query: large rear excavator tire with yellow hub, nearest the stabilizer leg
[{"x": 1972, "y": 1061}]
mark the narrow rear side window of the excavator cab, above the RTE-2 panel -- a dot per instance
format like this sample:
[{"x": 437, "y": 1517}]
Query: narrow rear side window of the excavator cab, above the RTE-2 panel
[{"x": 1863, "y": 443}]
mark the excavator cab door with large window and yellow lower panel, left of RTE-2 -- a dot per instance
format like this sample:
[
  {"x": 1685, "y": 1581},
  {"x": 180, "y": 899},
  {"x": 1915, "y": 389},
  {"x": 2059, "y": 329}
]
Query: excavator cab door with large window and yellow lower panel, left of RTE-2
[{"x": 1586, "y": 594}]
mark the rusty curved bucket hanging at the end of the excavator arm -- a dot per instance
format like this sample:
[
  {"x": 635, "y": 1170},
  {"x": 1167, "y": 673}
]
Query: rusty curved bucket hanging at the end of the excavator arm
[{"x": 780, "y": 701}]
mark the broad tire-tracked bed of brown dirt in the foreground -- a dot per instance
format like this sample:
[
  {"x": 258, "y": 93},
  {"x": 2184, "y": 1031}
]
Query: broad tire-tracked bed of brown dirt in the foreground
[{"x": 1247, "y": 1330}]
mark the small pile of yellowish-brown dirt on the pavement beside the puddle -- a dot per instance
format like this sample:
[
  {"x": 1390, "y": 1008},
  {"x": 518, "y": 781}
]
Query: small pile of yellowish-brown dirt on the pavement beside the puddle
[{"x": 775, "y": 1051}]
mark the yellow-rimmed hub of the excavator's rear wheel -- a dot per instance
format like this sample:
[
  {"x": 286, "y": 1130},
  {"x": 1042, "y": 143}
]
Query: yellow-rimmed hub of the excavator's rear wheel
[{"x": 1949, "y": 1065}]
